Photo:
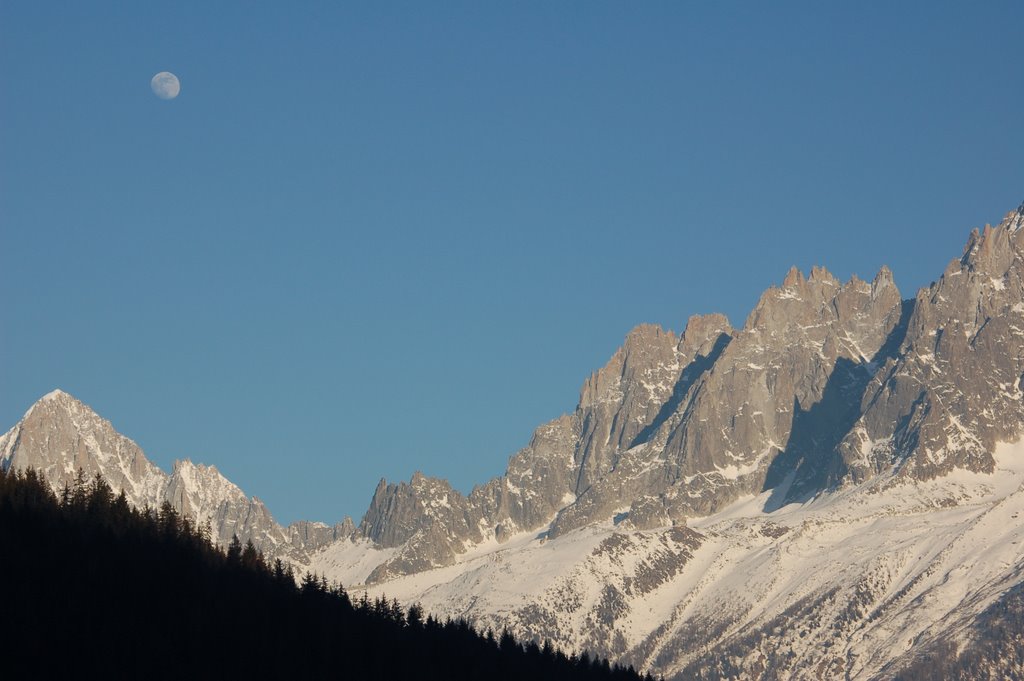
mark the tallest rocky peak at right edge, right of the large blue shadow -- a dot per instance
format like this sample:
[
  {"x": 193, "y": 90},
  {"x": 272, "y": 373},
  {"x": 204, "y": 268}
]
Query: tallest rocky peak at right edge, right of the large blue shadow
[{"x": 955, "y": 389}]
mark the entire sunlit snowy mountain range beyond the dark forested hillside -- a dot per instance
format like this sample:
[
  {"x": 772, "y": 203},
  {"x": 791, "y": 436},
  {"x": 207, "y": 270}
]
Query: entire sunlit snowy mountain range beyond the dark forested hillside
[{"x": 832, "y": 491}]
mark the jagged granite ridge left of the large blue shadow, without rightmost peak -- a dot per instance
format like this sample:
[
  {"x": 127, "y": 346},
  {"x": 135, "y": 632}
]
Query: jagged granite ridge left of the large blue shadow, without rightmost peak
[{"x": 670, "y": 428}]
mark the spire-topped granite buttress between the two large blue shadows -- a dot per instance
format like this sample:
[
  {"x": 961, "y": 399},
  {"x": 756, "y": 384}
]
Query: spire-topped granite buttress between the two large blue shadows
[{"x": 739, "y": 400}]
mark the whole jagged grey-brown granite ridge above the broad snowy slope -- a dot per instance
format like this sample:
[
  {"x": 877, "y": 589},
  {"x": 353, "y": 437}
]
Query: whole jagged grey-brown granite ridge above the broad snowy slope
[{"x": 827, "y": 384}]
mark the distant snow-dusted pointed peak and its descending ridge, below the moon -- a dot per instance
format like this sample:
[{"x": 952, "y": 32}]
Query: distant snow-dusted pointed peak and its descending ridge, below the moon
[{"x": 60, "y": 436}]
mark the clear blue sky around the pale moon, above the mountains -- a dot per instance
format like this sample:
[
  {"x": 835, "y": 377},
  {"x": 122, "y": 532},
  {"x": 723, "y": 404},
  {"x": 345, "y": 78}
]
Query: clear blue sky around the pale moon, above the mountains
[{"x": 369, "y": 239}]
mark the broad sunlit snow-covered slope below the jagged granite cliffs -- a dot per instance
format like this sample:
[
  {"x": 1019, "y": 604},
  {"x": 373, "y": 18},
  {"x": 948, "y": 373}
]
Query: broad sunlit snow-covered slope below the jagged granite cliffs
[{"x": 839, "y": 587}]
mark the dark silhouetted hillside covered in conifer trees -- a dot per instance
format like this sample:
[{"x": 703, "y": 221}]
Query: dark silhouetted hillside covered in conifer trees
[{"x": 93, "y": 587}]
